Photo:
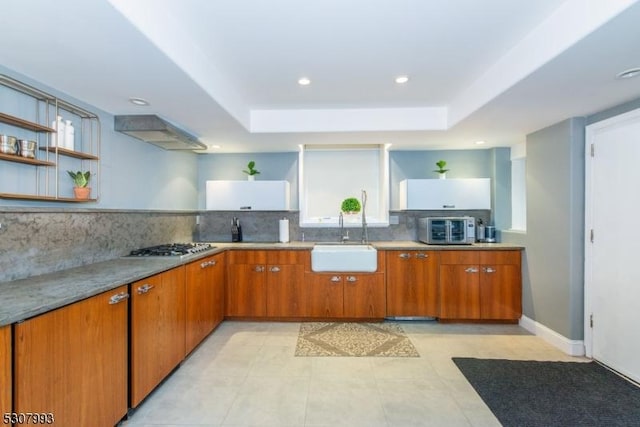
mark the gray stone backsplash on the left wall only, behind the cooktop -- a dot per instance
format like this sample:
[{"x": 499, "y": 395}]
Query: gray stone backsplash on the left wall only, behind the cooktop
[{"x": 34, "y": 243}]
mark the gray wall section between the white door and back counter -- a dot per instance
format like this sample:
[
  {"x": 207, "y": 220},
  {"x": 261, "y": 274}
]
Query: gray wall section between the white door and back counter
[{"x": 554, "y": 241}]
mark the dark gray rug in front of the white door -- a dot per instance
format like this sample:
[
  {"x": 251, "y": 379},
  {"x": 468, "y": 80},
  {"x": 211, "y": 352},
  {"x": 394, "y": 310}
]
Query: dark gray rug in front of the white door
[{"x": 547, "y": 394}]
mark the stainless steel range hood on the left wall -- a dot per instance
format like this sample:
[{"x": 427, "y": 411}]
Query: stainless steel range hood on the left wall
[{"x": 157, "y": 131}]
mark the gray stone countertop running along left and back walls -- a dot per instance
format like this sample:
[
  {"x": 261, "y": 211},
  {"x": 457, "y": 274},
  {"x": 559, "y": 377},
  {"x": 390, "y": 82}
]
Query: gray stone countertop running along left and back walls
[{"x": 25, "y": 298}]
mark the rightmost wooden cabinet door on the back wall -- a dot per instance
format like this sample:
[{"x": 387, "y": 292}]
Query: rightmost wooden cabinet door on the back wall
[{"x": 501, "y": 291}]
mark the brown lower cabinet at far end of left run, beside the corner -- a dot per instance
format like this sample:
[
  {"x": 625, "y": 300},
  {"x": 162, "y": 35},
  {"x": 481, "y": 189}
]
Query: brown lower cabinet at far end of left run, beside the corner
[{"x": 204, "y": 298}]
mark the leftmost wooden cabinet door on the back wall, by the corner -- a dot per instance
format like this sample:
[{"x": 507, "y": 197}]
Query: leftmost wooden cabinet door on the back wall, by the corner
[{"x": 246, "y": 290}]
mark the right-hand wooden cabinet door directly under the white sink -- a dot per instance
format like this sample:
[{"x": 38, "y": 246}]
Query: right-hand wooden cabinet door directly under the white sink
[{"x": 364, "y": 296}]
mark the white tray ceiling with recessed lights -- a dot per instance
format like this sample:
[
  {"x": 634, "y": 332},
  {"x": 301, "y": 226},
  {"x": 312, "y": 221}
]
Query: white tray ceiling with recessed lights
[{"x": 227, "y": 70}]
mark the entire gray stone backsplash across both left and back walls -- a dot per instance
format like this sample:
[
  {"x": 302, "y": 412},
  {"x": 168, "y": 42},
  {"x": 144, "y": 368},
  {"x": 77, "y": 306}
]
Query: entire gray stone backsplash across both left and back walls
[{"x": 43, "y": 241}]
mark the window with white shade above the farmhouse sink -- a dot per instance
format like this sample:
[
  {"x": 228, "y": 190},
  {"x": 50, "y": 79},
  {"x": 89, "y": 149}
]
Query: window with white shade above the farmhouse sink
[{"x": 330, "y": 174}]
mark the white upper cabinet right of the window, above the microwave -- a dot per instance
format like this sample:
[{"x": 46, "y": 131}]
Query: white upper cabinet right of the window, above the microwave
[{"x": 439, "y": 194}]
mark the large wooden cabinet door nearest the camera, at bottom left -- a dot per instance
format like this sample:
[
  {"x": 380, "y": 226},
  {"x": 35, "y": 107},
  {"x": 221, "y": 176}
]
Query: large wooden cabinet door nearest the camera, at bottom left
[{"x": 72, "y": 362}]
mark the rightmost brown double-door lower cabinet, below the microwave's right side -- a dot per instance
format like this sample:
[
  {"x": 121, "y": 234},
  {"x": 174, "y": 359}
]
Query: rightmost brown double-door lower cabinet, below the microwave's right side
[{"x": 480, "y": 285}]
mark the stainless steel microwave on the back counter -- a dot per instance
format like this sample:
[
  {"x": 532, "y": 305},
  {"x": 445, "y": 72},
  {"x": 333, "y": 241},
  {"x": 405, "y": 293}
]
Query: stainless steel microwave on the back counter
[{"x": 447, "y": 230}]
